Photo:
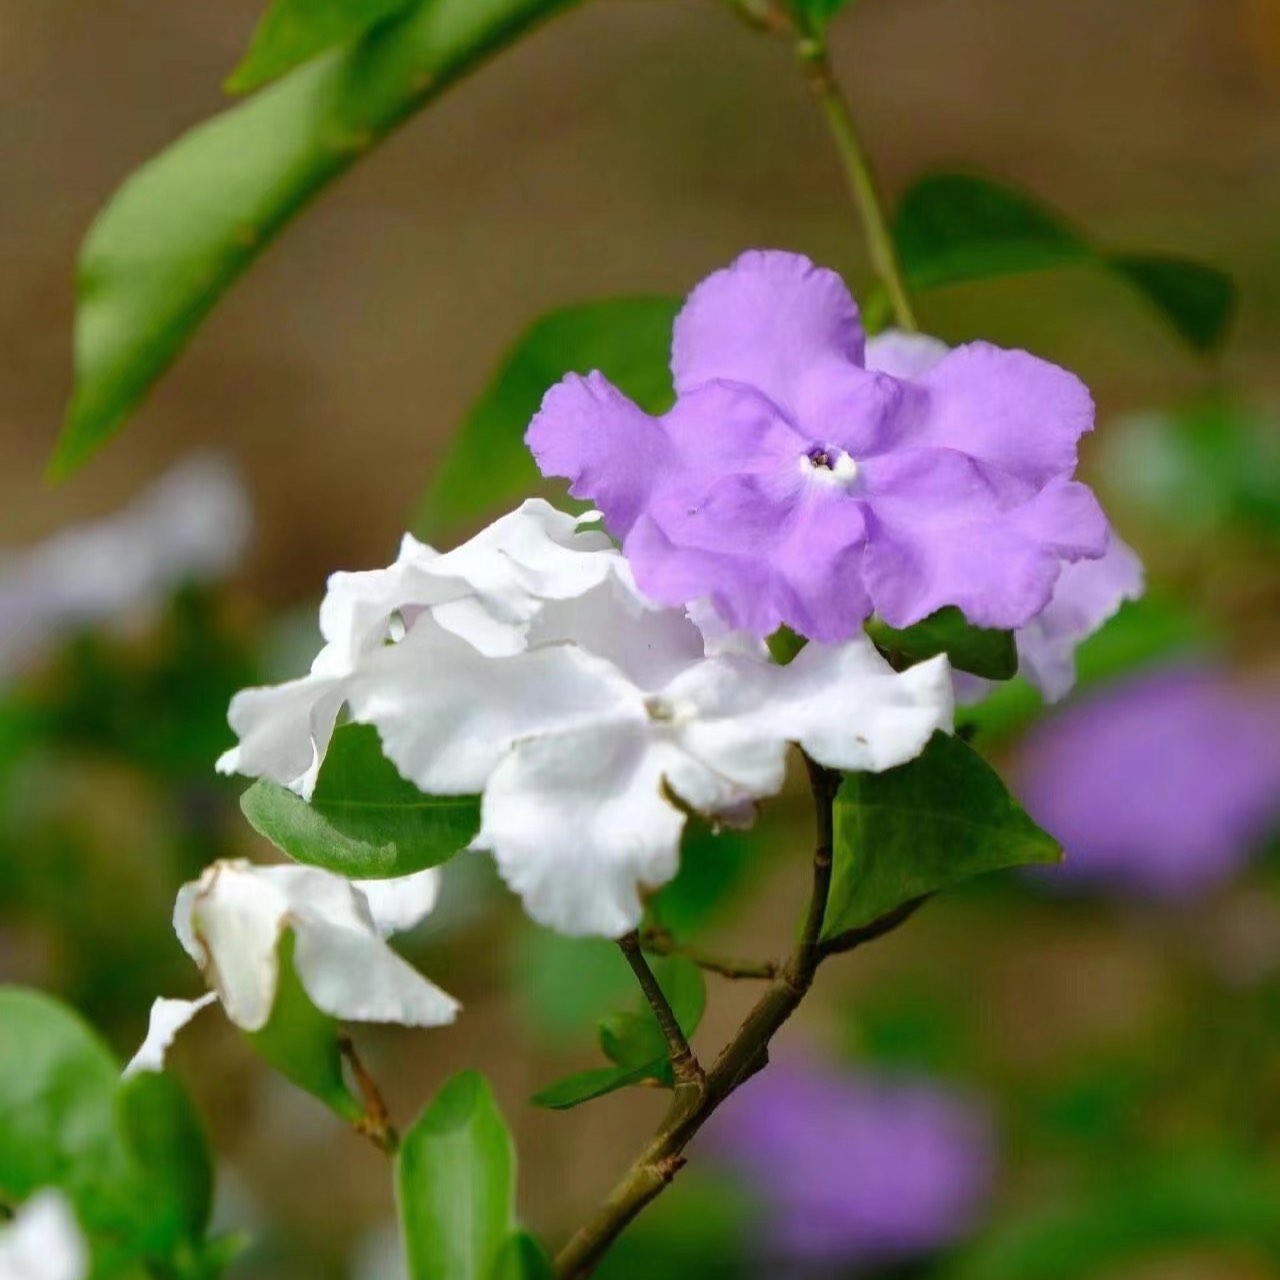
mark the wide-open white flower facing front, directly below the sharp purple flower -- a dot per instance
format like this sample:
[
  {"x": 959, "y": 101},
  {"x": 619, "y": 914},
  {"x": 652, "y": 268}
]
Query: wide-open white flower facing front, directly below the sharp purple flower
[{"x": 580, "y": 742}]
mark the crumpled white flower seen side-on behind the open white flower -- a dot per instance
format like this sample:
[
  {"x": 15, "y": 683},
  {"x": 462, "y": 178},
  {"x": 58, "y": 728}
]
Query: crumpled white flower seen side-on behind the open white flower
[{"x": 488, "y": 592}]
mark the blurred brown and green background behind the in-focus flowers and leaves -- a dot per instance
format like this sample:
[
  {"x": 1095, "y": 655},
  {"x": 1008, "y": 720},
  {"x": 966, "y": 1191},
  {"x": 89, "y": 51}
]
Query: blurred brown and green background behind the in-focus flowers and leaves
[{"x": 1072, "y": 1075}]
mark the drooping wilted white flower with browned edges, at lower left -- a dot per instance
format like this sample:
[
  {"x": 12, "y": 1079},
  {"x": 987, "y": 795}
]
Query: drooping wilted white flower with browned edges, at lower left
[{"x": 231, "y": 922}]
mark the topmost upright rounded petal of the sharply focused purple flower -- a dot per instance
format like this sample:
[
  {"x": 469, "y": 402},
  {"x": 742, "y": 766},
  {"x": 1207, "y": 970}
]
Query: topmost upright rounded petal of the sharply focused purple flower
[{"x": 769, "y": 321}]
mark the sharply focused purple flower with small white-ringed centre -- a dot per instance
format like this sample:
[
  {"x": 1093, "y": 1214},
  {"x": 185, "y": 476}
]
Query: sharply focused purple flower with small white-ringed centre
[{"x": 808, "y": 478}]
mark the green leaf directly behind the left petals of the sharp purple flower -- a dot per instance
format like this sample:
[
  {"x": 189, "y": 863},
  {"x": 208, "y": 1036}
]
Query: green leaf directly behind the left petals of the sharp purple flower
[{"x": 487, "y": 465}]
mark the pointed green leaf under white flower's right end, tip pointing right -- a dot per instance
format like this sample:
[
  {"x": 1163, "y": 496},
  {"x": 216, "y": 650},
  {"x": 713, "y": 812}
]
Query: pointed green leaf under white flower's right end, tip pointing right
[{"x": 922, "y": 828}]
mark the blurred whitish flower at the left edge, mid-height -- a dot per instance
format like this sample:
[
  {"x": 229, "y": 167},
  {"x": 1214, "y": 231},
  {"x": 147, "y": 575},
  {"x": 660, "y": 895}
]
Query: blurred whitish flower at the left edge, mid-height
[{"x": 191, "y": 525}]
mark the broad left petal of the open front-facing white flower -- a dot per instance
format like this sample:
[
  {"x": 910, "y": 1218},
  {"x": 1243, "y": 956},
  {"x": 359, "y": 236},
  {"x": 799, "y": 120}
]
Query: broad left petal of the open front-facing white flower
[{"x": 447, "y": 715}]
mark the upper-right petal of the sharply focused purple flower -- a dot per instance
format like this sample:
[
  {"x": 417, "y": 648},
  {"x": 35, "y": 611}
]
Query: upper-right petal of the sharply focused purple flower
[{"x": 1008, "y": 409}]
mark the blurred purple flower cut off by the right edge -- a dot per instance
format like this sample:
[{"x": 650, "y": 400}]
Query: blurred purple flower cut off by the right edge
[{"x": 1162, "y": 787}]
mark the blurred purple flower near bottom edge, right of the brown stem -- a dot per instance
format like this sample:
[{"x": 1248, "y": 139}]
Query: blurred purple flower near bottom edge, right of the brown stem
[{"x": 854, "y": 1169}]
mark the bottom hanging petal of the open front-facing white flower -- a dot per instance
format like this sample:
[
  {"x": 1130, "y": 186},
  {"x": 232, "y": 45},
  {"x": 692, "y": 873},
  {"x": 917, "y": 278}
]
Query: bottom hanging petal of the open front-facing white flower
[{"x": 579, "y": 825}]
